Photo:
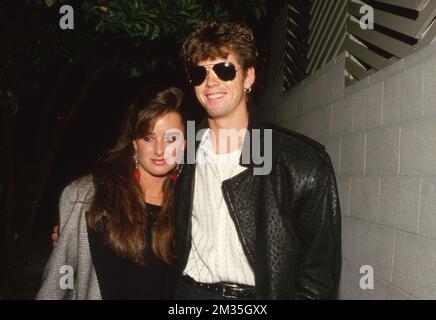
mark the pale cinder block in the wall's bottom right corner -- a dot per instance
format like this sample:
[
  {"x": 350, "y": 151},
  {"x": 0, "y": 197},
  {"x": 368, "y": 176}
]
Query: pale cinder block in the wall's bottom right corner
[{"x": 414, "y": 261}]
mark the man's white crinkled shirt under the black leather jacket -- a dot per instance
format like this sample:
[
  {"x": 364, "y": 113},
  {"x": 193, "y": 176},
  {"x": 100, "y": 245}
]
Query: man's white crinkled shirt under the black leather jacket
[{"x": 216, "y": 252}]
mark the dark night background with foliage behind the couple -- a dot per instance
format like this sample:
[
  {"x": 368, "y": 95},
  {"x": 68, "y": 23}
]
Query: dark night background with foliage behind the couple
[{"x": 63, "y": 95}]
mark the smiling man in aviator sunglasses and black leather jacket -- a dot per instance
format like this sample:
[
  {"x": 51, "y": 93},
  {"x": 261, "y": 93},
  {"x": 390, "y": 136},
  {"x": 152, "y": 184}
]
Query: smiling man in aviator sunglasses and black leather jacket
[{"x": 242, "y": 235}]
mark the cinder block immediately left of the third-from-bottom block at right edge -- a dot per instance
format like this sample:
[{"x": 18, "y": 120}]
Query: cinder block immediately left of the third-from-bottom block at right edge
[{"x": 382, "y": 151}]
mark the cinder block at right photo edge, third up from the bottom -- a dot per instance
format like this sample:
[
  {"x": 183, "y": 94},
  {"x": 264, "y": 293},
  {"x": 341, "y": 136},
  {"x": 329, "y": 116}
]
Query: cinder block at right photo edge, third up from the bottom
[{"x": 418, "y": 148}]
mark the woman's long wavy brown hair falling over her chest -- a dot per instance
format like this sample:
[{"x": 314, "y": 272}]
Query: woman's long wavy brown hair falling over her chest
[{"x": 118, "y": 208}]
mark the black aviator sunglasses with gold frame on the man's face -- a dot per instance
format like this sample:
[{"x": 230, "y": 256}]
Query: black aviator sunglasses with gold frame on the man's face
[{"x": 226, "y": 71}]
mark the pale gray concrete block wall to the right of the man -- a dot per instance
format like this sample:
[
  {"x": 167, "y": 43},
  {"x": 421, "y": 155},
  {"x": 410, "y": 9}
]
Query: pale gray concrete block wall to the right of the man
[{"x": 381, "y": 136}]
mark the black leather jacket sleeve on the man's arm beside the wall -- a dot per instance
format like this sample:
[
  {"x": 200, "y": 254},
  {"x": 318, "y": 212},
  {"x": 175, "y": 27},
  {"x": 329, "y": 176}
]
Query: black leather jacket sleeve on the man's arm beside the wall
[{"x": 319, "y": 231}]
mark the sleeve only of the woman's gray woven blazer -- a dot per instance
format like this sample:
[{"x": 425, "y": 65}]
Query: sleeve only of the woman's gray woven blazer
[{"x": 63, "y": 257}]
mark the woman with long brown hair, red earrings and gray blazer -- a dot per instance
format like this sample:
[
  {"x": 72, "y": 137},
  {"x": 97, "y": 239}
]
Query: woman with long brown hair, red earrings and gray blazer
[{"x": 116, "y": 225}]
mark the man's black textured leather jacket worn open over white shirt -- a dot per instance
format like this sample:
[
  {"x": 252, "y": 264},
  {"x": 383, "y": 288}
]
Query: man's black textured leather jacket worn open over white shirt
[{"x": 288, "y": 221}]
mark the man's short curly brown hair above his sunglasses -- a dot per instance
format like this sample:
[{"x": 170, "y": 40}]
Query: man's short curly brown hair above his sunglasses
[{"x": 218, "y": 40}]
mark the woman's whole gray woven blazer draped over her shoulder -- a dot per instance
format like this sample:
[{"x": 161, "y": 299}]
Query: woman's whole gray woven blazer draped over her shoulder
[{"x": 72, "y": 248}]
